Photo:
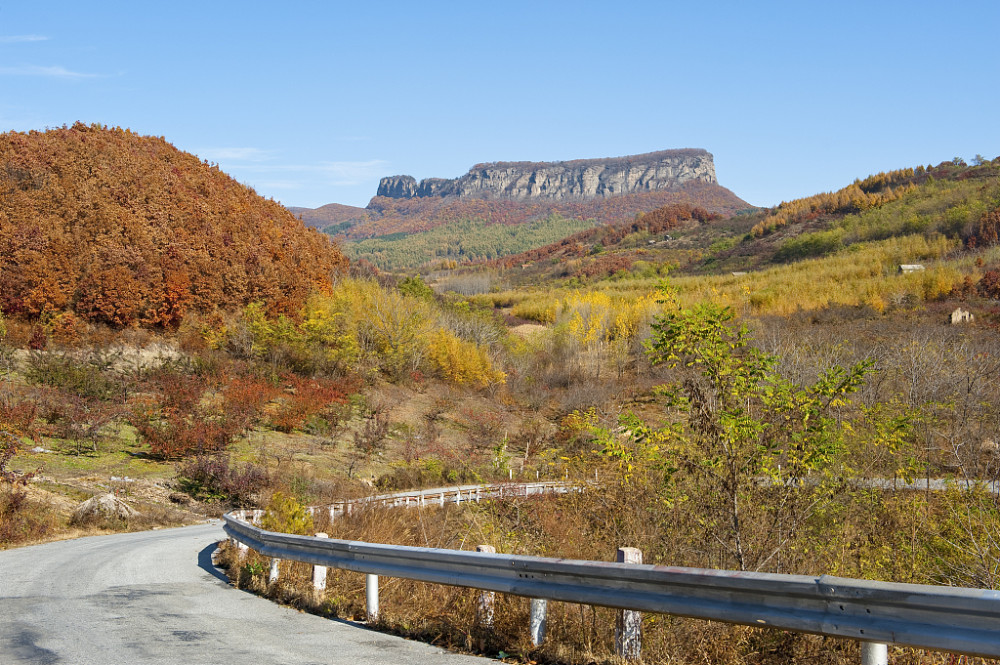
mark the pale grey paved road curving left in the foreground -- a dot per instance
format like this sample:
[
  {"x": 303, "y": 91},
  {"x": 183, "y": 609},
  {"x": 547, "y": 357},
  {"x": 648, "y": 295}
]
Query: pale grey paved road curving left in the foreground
[{"x": 154, "y": 597}]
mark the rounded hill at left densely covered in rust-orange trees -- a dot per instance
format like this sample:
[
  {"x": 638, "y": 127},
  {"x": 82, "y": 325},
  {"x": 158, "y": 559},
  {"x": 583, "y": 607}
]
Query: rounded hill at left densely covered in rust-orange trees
[{"x": 127, "y": 230}]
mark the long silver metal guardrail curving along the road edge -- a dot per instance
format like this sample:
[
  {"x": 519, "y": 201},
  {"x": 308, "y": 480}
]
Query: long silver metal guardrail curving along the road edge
[{"x": 958, "y": 620}]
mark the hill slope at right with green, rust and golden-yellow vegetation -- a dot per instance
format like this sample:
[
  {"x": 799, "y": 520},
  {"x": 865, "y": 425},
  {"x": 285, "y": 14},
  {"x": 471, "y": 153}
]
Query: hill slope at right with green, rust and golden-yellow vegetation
[{"x": 824, "y": 252}]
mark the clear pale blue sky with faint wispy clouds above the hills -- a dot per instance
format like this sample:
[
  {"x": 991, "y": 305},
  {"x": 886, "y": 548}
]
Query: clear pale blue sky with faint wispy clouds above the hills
[{"x": 312, "y": 102}]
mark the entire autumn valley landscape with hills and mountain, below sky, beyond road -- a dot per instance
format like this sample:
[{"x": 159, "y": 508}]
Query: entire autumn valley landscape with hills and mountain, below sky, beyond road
[{"x": 171, "y": 337}]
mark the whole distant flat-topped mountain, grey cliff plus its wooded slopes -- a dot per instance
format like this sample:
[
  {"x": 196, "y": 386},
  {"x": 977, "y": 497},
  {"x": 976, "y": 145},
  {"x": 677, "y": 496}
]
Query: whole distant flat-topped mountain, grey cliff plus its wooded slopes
[{"x": 409, "y": 223}]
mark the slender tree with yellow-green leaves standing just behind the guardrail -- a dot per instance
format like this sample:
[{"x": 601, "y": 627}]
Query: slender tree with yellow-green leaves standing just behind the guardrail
[{"x": 758, "y": 454}]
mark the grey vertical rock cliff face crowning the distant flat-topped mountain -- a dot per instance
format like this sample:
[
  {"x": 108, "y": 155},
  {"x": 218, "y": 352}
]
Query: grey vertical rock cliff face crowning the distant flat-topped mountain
[{"x": 557, "y": 181}]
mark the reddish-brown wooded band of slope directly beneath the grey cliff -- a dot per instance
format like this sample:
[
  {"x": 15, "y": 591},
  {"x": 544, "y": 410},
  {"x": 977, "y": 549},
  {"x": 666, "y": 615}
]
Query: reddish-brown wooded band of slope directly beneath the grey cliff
[{"x": 388, "y": 216}]
